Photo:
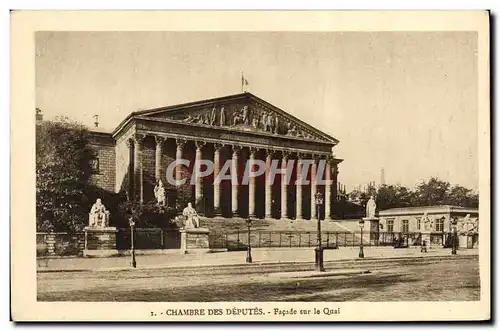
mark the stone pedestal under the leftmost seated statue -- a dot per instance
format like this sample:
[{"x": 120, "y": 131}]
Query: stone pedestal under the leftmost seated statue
[{"x": 100, "y": 242}]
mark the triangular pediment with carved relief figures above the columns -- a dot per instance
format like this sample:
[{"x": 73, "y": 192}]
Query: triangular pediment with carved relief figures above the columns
[{"x": 243, "y": 112}]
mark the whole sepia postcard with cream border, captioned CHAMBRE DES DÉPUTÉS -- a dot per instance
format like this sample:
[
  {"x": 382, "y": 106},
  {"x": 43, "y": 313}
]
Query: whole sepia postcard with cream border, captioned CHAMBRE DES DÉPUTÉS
[{"x": 238, "y": 174}]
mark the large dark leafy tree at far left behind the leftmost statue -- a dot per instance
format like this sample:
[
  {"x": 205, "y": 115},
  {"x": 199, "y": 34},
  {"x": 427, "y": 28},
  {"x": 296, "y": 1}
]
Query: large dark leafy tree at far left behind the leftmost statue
[{"x": 63, "y": 170}]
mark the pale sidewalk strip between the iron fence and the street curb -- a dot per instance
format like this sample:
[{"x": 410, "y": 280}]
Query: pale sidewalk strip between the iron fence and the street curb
[{"x": 260, "y": 256}]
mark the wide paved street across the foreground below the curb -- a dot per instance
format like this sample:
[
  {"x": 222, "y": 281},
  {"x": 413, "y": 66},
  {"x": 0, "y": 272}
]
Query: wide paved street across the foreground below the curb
[{"x": 453, "y": 278}]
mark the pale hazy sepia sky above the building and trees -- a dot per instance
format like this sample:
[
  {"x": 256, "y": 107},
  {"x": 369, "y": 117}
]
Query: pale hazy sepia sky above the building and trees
[{"x": 405, "y": 102}]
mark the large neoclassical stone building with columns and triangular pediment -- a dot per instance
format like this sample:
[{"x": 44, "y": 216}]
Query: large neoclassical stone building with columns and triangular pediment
[{"x": 136, "y": 154}]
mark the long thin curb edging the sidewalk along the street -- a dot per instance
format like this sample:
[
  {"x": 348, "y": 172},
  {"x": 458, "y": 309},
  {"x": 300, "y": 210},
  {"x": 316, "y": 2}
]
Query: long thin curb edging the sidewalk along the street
[{"x": 257, "y": 264}]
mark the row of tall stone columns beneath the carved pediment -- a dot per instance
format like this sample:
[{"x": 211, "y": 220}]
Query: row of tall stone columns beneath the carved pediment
[{"x": 235, "y": 154}]
